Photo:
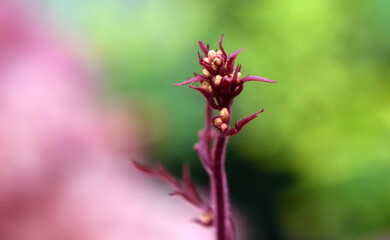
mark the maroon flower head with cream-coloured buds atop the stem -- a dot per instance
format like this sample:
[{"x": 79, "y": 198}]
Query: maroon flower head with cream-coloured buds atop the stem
[{"x": 220, "y": 81}]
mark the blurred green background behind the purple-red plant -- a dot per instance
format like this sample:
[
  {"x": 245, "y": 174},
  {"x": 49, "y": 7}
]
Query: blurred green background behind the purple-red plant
[{"x": 315, "y": 164}]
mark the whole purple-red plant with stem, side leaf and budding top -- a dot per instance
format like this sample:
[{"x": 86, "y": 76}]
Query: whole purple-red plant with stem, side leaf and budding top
[{"x": 220, "y": 82}]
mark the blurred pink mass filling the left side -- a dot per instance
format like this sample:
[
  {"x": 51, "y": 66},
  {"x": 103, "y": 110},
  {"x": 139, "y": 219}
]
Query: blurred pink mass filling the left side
[{"x": 64, "y": 169}]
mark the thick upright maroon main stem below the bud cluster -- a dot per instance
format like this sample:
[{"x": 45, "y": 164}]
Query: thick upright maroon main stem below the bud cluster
[{"x": 219, "y": 189}]
